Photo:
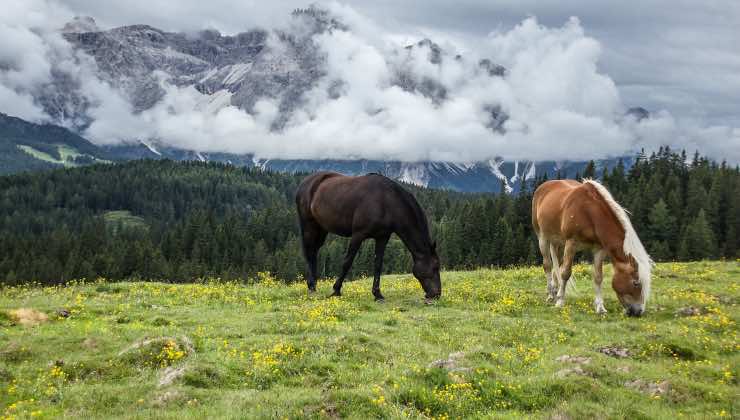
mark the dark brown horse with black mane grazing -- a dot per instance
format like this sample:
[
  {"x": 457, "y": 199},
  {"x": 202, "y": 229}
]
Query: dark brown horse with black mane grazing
[{"x": 362, "y": 207}]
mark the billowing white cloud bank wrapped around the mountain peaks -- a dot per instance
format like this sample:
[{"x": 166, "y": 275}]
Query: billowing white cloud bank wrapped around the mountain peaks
[{"x": 560, "y": 104}]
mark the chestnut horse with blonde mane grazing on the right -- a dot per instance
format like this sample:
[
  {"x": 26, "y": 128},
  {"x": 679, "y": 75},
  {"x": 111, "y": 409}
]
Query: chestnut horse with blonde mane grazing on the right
[{"x": 569, "y": 216}]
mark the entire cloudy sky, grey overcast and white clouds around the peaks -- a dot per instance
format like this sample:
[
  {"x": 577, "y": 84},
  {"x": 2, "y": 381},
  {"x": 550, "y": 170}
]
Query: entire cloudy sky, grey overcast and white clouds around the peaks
[{"x": 573, "y": 68}]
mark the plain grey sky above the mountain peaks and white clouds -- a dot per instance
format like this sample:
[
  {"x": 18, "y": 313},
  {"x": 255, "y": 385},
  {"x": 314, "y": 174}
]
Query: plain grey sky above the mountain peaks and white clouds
[{"x": 678, "y": 55}]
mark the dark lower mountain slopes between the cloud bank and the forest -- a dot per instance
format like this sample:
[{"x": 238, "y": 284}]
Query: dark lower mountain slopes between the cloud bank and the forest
[{"x": 26, "y": 146}]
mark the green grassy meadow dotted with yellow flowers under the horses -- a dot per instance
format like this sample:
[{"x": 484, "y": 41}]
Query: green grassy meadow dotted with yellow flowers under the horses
[{"x": 491, "y": 348}]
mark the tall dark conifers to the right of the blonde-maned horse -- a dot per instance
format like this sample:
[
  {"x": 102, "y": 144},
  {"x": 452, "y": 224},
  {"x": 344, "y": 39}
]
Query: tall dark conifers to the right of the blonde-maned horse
[{"x": 683, "y": 209}]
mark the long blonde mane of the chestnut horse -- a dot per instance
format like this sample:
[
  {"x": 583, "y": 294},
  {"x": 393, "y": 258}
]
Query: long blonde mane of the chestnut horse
[{"x": 632, "y": 245}]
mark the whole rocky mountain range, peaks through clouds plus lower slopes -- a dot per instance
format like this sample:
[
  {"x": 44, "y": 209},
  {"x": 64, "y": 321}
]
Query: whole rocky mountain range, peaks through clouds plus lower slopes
[{"x": 236, "y": 70}]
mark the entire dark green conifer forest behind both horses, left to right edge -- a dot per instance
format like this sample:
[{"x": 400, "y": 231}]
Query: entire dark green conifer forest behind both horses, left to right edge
[{"x": 177, "y": 222}]
